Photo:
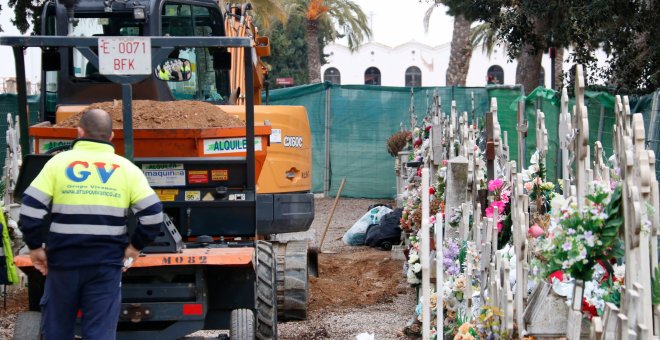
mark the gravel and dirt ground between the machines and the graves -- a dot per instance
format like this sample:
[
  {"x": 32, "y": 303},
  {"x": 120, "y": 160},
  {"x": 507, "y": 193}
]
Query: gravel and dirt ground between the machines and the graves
[{"x": 385, "y": 318}]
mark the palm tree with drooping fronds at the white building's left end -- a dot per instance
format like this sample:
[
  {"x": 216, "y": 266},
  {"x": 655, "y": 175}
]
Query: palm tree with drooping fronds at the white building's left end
[{"x": 342, "y": 18}]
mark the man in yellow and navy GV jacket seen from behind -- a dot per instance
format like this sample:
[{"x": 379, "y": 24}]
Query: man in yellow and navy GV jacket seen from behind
[{"x": 88, "y": 191}]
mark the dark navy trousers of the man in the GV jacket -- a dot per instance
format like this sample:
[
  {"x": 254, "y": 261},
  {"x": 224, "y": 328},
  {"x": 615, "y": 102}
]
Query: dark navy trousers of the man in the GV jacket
[{"x": 96, "y": 291}]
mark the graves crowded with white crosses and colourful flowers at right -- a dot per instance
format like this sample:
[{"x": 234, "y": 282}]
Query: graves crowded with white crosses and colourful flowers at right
[{"x": 498, "y": 251}]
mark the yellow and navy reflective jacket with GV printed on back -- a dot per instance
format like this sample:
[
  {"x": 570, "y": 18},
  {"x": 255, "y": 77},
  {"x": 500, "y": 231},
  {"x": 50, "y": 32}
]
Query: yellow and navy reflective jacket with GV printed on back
[{"x": 88, "y": 191}]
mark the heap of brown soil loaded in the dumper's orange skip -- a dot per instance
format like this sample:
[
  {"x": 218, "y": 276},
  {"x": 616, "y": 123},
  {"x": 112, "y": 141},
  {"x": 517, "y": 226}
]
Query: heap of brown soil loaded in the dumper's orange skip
[{"x": 150, "y": 114}]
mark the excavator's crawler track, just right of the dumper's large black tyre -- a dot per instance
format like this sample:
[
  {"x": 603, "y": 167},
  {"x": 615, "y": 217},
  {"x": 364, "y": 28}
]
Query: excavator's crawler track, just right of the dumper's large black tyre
[{"x": 292, "y": 280}]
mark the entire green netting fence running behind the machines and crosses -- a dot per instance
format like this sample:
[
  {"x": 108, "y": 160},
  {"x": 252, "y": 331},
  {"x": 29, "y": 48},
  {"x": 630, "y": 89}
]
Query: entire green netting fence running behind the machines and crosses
[{"x": 362, "y": 117}]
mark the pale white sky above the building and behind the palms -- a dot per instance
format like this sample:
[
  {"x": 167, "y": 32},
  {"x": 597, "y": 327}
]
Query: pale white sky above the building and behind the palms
[{"x": 393, "y": 23}]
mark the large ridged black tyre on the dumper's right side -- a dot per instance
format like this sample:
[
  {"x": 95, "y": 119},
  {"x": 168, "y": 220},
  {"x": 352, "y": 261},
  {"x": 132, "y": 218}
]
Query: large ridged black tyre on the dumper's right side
[{"x": 266, "y": 292}]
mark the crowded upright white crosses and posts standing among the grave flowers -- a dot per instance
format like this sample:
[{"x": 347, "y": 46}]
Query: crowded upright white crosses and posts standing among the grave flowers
[{"x": 454, "y": 139}]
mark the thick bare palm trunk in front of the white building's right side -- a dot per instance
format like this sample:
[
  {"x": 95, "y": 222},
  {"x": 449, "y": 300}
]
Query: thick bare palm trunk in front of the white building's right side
[{"x": 461, "y": 52}]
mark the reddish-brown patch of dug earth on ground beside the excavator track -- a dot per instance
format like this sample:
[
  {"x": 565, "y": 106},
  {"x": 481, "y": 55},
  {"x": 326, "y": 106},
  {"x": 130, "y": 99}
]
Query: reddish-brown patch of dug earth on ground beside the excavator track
[{"x": 355, "y": 279}]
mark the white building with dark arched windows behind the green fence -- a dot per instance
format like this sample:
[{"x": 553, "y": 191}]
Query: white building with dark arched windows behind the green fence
[{"x": 415, "y": 64}]
